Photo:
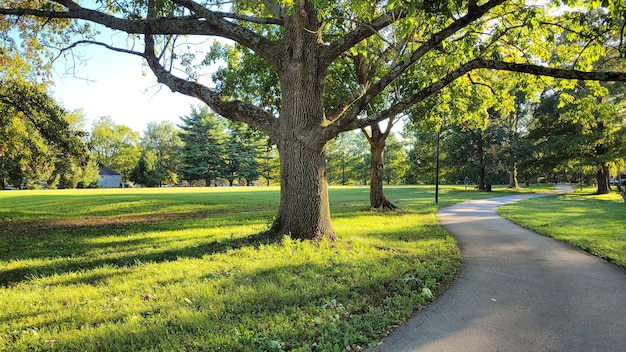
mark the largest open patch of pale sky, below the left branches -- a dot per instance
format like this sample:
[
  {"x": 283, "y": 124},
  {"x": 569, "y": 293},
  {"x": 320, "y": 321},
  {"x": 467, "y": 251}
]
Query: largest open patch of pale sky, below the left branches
[{"x": 116, "y": 85}]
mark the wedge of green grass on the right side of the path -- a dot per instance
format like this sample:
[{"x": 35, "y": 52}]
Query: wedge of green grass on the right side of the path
[{"x": 595, "y": 223}]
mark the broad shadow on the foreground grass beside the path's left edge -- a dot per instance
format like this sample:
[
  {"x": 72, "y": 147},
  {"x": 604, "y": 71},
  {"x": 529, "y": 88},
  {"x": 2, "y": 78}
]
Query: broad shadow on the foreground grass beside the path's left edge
[{"x": 265, "y": 299}]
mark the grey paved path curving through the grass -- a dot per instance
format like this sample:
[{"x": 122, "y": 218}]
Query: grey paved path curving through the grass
[{"x": 518, "y": 291}]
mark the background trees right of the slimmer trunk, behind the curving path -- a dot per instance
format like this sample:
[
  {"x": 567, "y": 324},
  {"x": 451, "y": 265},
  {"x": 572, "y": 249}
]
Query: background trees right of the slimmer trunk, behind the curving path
[{"x": 572, "y": 134}]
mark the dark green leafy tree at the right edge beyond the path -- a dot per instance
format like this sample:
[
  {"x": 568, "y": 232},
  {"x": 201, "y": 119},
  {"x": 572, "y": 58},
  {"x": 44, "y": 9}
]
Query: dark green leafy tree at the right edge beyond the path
[{"x": 586, "y": 133}]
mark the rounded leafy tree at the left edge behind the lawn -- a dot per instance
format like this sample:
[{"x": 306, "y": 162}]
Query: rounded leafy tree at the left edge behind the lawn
[{"x": 34, "y": 135}]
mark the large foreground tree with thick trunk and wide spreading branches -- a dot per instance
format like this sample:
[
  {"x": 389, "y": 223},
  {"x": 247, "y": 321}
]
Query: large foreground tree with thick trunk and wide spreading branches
[{"x": 424, "y": 46}]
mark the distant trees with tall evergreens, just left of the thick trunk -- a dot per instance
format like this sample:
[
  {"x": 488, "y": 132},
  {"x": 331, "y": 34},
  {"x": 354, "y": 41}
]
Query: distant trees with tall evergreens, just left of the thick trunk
[{"x": 204, "y": 149}]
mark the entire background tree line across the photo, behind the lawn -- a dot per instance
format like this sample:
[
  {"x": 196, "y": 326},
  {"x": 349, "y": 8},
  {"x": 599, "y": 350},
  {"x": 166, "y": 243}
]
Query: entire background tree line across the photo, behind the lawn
[{"x": 570, "y": 133}]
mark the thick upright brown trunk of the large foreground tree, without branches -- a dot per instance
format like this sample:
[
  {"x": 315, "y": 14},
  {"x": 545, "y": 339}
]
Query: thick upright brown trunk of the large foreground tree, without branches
[{"x": 304, "y": 211}]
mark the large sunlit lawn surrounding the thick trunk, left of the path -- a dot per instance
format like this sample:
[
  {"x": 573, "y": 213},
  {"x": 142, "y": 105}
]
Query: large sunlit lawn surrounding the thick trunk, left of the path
[{"x": 175, "y": 269}]
